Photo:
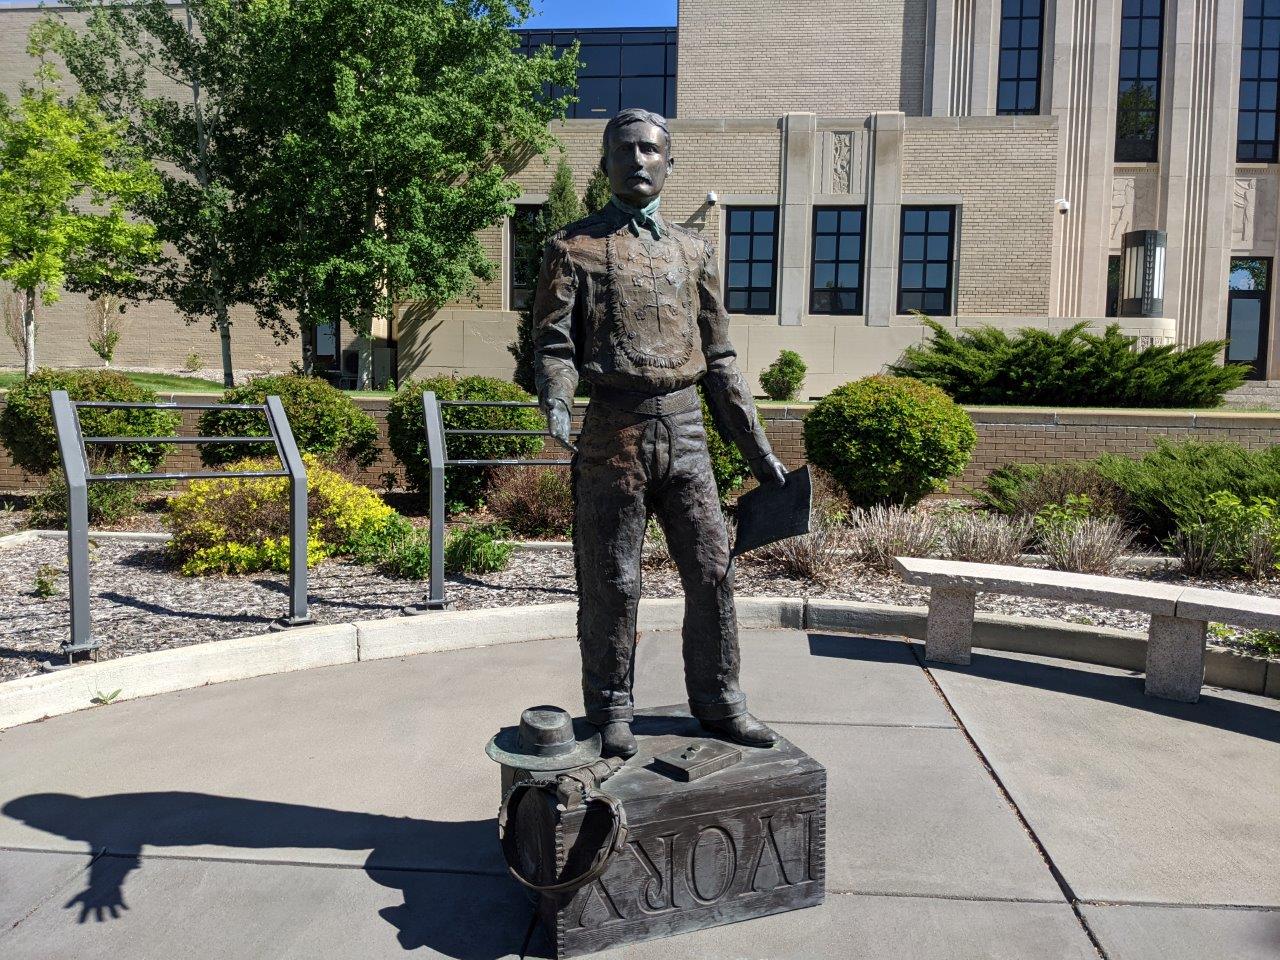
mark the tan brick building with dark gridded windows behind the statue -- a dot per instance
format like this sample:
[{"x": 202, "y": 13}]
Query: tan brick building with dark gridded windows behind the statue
[{"x": 982, "y": 161}]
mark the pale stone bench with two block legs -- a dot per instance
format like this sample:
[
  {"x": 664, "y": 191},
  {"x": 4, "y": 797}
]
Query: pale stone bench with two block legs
[{"x": 1180, "y": 615}]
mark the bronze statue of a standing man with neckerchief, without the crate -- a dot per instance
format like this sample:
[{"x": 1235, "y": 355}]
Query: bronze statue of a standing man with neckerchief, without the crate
[{"x": 632, "y": 304}]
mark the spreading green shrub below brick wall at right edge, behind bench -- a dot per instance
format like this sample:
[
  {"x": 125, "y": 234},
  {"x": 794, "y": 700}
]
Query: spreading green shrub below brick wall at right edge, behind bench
[{"x": 1177, "y": 479}]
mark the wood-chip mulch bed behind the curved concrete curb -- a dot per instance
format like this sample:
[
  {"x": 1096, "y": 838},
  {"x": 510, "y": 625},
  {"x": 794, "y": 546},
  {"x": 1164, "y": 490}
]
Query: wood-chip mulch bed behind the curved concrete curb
[{"x": 141, "y": 605}]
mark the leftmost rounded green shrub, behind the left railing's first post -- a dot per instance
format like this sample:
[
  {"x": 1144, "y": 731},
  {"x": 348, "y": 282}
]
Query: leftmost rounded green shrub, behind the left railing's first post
[{"x": 28, "y": 422}]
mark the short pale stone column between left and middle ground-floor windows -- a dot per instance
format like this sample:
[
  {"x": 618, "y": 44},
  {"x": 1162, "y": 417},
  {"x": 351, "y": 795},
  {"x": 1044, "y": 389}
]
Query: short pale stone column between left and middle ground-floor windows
[{"x": 796, "y": 211}]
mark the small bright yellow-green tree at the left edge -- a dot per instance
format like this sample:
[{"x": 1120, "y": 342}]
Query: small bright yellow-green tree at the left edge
[{"x": 66, "y": 182}]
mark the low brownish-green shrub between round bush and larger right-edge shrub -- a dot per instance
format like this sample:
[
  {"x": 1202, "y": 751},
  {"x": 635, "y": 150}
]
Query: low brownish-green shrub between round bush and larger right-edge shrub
[{"x": 1026, "y": 490}]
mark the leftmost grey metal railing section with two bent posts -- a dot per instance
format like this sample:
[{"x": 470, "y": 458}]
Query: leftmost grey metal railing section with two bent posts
[{"x": 74, "y": 450}]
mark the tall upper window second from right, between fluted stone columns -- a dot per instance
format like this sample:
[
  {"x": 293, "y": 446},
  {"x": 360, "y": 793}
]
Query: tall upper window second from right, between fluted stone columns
[{"x": 1142, "y": 28}]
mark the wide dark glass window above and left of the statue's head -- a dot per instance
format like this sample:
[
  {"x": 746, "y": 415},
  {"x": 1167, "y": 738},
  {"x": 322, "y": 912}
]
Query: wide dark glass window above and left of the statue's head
[{"x": 620, "y": 68}]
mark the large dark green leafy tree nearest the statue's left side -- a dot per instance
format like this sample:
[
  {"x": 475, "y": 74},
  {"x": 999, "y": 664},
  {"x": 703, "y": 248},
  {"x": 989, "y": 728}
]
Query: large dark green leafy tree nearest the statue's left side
[{"x": 391, "y": 129}]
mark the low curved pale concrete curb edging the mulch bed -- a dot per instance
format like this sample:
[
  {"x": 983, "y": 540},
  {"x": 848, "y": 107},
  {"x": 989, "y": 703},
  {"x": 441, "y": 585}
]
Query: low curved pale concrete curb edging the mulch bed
[{"x": 167, "y": 671}]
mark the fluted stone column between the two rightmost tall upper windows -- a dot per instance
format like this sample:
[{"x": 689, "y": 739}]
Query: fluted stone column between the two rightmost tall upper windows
[{"x": 1199, "y": 126}]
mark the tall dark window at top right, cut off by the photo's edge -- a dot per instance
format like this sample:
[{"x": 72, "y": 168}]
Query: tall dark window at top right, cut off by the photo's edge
[{"x": 1260, "y": 76}]
